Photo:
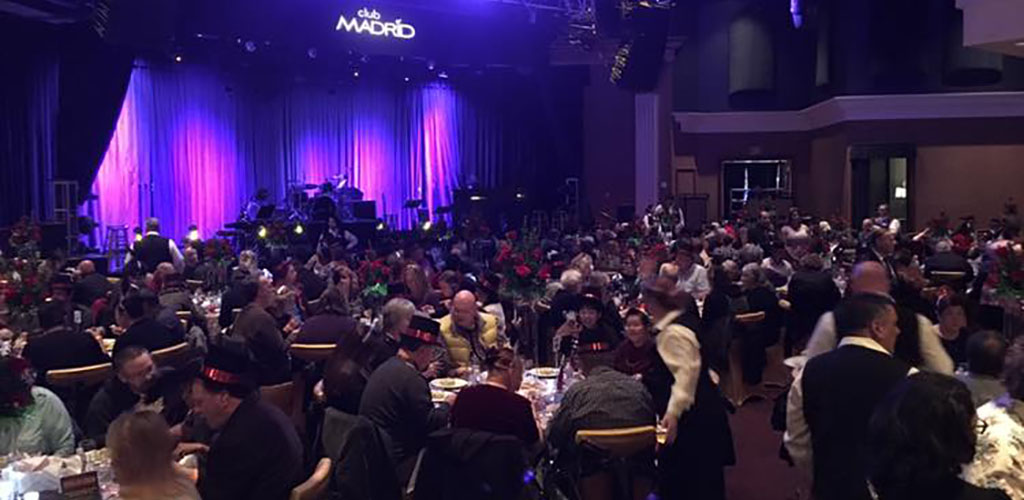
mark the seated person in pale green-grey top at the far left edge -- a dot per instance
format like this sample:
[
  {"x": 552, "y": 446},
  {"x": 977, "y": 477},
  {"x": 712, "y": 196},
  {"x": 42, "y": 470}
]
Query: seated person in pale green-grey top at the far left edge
[{"x": 33, "y": 421}]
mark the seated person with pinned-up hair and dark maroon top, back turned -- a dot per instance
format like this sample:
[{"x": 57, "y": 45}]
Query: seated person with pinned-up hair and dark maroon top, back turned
[{"x": 494, "y": 406}]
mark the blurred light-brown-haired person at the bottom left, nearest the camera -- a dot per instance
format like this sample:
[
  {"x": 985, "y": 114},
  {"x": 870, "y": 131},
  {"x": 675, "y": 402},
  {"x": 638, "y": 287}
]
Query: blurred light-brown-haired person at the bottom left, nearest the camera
[{"x": 143, "y": 459}]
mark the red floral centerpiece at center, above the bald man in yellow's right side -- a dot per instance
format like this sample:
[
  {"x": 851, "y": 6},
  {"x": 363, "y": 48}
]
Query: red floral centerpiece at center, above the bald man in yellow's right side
[{"x": 521, "y": 263}]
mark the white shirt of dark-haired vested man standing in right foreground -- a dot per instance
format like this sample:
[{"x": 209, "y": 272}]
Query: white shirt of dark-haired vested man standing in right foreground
[{"x": 798, "y": 433}]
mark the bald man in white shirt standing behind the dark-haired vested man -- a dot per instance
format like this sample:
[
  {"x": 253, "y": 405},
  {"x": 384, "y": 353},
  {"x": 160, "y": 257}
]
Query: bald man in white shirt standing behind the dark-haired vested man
[{"x": 871, "y": 277}]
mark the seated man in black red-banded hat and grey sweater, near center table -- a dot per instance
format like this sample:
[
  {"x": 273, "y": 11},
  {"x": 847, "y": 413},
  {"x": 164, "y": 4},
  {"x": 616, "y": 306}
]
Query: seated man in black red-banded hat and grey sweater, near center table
[{"x": 398, "y": 398}]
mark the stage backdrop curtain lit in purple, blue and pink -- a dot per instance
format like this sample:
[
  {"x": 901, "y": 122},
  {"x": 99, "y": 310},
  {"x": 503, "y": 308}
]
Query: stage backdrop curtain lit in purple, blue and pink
[{"x": 192, "y": 145}]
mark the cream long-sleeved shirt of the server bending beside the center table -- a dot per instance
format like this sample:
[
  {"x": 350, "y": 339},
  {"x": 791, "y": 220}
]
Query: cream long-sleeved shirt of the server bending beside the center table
[{"x": 680, "y": 351}]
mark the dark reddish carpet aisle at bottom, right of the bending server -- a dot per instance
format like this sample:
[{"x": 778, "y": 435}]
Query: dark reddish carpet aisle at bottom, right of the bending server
[{"x": 759, "y": 474}]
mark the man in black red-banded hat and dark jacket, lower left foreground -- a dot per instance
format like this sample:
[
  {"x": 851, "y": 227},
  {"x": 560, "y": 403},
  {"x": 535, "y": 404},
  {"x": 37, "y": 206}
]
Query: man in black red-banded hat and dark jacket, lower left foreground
[{"x": 257, "y": 452}]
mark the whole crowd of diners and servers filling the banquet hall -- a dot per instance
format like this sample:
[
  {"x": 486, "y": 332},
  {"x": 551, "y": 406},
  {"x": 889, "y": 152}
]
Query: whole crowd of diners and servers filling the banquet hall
[{"x": 652, "y": 315}]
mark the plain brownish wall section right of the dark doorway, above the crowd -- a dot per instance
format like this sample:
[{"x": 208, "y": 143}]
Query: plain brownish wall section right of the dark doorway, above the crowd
[{"x": 968, "y": 180}]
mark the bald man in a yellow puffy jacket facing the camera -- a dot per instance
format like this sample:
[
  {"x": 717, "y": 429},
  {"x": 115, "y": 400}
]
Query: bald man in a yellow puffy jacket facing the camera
[{"x": 467, "y": 334}]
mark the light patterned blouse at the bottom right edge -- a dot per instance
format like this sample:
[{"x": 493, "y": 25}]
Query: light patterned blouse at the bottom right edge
[{"x": 999, "y": 462}]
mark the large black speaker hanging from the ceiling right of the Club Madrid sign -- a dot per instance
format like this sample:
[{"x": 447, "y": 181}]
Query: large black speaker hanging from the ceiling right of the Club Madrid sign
[{"x": 638, "y": 63}]
